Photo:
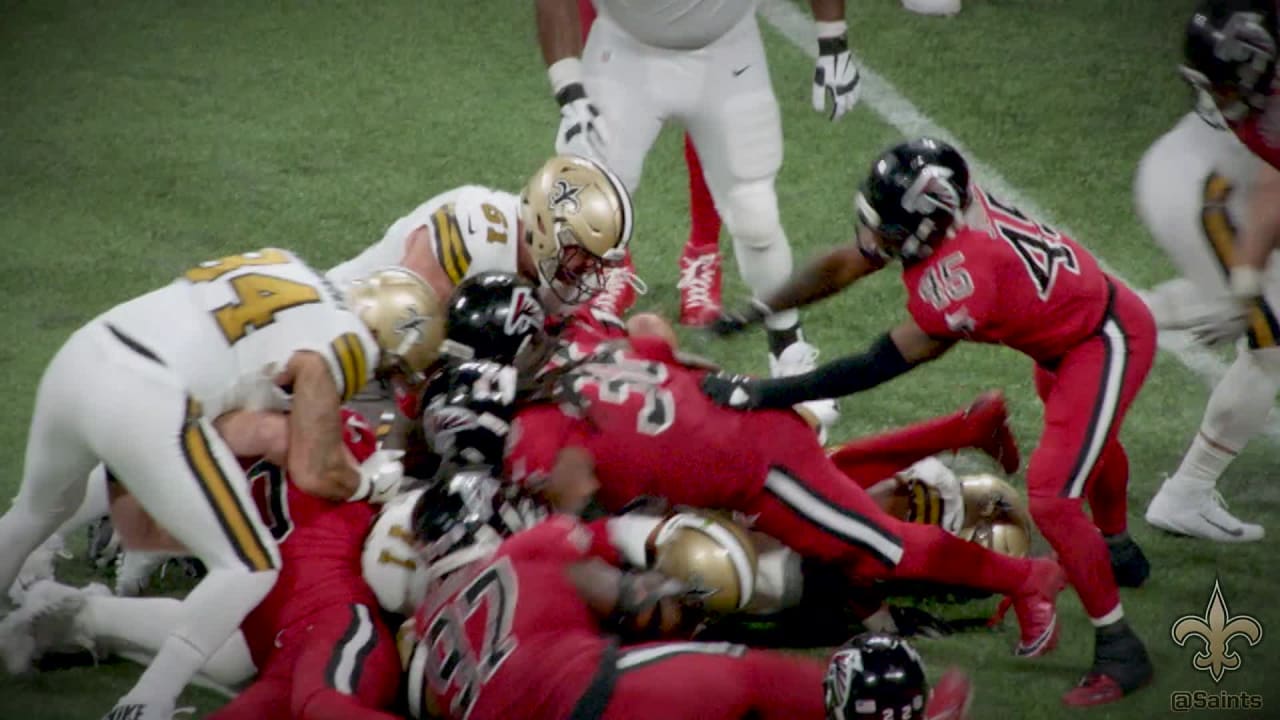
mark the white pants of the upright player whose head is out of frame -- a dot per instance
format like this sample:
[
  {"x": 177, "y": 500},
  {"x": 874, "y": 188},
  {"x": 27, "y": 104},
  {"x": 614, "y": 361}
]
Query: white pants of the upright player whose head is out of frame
[{"x": 723, "y": 95}]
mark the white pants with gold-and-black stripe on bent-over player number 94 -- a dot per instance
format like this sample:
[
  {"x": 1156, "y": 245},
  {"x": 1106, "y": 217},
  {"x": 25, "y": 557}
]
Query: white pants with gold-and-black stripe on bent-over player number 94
[{"x": 103, "y": 399}]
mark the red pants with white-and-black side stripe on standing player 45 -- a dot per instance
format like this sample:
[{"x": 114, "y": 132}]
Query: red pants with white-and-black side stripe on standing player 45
[{"x": 1080, "y": 455}]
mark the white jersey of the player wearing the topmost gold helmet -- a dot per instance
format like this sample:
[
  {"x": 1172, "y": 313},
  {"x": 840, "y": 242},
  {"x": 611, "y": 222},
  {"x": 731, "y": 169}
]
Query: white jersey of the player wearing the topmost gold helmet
[{"x": 474, "y": 231}]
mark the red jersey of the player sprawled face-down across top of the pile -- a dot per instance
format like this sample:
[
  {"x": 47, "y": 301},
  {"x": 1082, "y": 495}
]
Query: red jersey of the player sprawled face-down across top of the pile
[{"x": 650, "y": 429}]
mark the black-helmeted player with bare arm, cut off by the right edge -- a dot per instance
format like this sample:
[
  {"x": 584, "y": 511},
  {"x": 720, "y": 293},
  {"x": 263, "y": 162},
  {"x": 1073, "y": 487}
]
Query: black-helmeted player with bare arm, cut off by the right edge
[{"x": 1231, "y": 54}]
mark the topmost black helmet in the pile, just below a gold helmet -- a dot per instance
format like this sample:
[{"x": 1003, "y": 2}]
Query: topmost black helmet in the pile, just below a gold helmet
[{"x": 497, "y": 317}]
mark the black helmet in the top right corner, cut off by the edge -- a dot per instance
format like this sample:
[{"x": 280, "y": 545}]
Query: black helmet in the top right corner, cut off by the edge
[{"x": 1231, "y": 54}]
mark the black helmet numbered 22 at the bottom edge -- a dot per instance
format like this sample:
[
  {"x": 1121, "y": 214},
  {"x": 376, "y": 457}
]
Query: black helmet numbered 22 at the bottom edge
[{"x": 876, "y": 677}]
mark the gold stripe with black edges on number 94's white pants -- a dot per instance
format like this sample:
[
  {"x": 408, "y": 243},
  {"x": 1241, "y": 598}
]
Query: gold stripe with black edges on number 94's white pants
[{"x": 218, "y": 490}]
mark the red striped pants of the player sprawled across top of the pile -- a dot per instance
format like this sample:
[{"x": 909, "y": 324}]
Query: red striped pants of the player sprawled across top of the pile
[{"x": 808, "y": 504}]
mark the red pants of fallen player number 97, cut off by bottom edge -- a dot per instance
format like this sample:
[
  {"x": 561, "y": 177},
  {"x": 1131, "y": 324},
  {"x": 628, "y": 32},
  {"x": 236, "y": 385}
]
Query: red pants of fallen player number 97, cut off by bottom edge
[{"x": 715, "y": 682}]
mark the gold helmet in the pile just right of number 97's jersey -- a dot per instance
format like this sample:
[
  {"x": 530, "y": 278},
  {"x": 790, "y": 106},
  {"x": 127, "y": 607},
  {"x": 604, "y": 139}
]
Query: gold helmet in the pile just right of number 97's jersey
[{"x": 712, "y": 554}]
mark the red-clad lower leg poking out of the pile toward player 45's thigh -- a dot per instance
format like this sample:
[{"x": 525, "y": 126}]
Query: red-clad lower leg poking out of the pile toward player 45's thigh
[{"x": 872, "y": 459}]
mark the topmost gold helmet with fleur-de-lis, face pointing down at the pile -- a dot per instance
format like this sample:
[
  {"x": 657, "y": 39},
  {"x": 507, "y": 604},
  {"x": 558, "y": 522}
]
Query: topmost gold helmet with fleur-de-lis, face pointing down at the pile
[{"x": 578, "y": 221}]
